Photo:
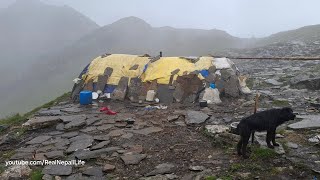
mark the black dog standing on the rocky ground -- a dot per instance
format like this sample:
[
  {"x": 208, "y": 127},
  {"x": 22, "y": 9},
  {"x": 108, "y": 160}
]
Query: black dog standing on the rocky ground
[{"x": 262, "y": 121}]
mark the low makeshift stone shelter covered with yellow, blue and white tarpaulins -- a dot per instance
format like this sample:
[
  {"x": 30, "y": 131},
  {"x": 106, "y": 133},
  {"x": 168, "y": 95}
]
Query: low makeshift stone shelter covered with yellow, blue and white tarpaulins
[{"x": 172, "y": 78}]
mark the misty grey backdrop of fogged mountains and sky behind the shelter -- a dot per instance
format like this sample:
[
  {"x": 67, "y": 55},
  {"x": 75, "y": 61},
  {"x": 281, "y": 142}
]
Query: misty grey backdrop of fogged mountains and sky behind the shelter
[{"x": 45, "y": 44}]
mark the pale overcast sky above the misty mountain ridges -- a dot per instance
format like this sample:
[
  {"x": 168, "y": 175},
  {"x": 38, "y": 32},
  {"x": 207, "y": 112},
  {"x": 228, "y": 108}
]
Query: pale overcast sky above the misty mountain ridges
[{"x": 243, "y": 18}]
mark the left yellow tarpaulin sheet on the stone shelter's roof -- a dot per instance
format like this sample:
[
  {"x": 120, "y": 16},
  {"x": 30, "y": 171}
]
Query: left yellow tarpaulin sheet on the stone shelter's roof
[{"x": 120, "y": 63}]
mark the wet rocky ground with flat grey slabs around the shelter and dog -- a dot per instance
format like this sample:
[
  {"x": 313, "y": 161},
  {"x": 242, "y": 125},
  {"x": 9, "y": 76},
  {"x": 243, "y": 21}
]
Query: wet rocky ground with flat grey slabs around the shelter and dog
[{"x": 178, "y": 141}]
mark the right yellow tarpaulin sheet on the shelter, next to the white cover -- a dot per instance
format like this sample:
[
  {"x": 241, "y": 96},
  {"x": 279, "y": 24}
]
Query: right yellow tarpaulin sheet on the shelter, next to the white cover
[{"x": 161, "y": 69}]
